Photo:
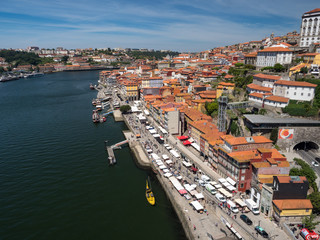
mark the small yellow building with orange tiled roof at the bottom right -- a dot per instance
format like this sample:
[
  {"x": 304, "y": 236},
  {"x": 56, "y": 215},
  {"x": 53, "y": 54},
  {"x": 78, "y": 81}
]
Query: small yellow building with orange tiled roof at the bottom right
[{"x": 291, "y": 209}]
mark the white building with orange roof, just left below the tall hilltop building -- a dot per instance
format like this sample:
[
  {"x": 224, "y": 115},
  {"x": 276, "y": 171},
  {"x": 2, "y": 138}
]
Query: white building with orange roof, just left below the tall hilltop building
[{"x": 268, "y": 57}]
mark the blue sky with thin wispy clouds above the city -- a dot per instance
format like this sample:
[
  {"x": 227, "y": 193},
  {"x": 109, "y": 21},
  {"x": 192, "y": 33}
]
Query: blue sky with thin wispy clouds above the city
[{"x": 180, "y": 25}]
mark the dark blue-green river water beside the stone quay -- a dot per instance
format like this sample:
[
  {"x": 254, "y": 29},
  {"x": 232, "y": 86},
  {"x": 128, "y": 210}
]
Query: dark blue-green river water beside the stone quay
[{"x": 55, "y": 182}]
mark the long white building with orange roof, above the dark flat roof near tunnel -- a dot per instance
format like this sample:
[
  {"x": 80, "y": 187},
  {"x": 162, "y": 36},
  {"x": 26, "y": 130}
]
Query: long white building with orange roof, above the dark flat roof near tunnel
[{"x": 302, "y": 91}]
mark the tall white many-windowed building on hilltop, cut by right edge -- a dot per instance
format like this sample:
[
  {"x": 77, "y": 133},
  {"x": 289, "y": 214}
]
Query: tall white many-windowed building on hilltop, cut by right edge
[{"x": 310, "y": 28}]
